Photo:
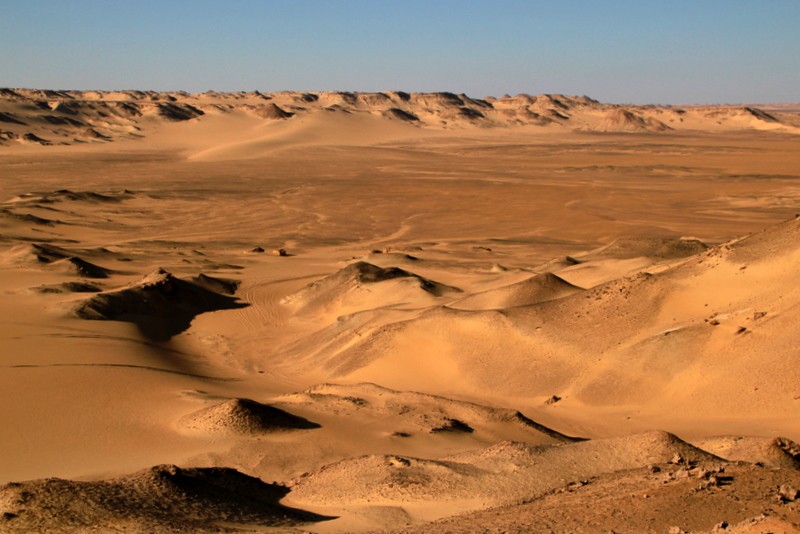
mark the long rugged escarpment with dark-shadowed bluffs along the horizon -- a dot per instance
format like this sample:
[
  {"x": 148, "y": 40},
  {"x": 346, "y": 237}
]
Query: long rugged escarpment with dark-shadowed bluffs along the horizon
[{"x": 31, "y": 116}]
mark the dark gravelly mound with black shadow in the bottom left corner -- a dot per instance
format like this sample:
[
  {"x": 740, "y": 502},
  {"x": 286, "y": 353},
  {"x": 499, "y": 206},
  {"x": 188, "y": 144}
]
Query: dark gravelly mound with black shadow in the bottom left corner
[{"x": 164, "y": 498}]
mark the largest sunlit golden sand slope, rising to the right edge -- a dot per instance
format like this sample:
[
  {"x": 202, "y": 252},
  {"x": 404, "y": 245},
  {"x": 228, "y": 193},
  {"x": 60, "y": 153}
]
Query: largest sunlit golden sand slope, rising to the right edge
[{"x": 634, "y": 326}]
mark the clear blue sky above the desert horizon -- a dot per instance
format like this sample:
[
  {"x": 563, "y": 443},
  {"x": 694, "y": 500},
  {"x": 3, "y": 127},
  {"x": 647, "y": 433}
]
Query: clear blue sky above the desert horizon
[{"x": 638, "y": 51}]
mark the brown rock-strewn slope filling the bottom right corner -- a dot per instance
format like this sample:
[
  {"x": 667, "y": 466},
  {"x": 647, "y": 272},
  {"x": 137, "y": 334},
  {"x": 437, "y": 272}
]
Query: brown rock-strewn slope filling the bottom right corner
[{"x": 738, "y": 499}]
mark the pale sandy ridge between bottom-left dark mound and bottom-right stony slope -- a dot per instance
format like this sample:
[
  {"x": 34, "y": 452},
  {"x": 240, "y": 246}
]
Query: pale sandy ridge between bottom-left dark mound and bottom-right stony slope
[{"x": 502, "y": 474}]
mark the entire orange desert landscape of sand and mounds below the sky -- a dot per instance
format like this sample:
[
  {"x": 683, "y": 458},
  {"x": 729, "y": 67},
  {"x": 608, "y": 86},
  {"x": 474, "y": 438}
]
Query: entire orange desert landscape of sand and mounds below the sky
[{"x": 340, "y": 312}]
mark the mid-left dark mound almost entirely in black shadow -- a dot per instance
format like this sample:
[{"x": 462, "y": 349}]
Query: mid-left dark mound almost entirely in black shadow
[{"x": 161, "y": 305}]
